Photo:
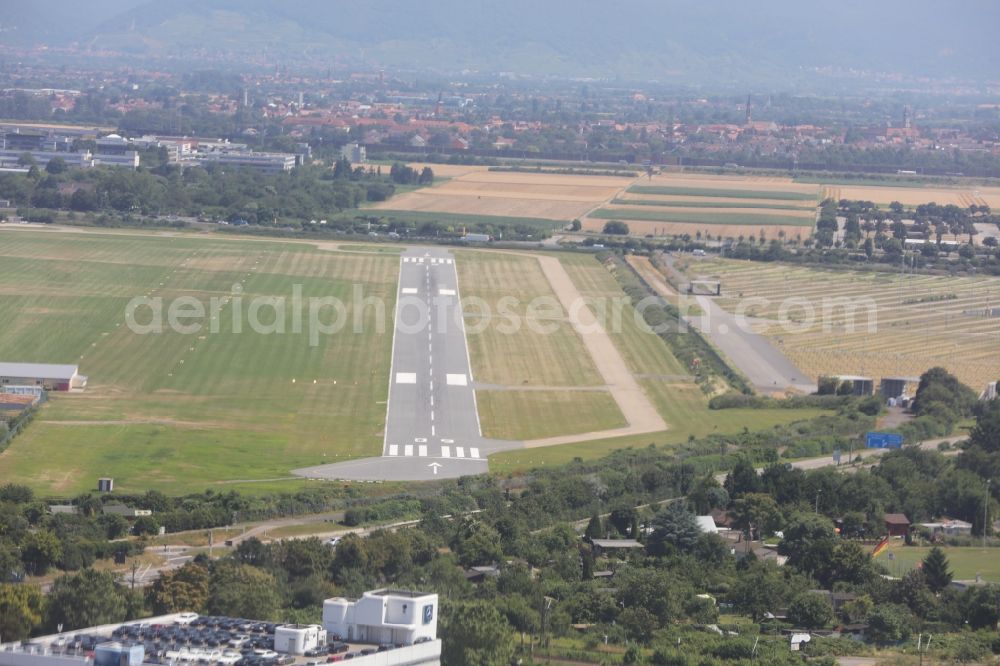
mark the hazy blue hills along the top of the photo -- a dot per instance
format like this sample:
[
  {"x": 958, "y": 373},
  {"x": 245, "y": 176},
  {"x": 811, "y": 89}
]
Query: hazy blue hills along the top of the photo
[{"x": 725, "y": 41}]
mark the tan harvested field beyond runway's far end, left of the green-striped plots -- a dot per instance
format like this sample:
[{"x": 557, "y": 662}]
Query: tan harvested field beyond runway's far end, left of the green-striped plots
[{"x": 507, "y": 194}]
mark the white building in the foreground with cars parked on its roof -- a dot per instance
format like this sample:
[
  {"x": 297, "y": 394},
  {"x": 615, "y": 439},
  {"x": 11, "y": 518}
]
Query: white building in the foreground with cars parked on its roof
[{"x": 383, "y": 628}]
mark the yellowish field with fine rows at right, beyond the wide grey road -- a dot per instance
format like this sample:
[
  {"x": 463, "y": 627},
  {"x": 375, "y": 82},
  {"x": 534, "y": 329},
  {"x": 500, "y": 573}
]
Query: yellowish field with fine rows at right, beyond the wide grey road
[{"x": 883, "y": 325}]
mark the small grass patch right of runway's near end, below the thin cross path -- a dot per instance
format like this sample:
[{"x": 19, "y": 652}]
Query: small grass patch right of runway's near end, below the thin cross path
[{"x": 520, "y": 415}]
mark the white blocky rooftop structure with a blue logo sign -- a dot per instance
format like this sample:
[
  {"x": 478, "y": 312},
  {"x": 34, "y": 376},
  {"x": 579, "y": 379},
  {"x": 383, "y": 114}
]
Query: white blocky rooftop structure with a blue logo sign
[{"x": 401, "y": 617}]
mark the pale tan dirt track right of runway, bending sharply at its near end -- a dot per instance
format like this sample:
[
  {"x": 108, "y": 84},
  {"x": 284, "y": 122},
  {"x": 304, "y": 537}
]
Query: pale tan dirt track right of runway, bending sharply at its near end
[{"x": 634, "y": 404}]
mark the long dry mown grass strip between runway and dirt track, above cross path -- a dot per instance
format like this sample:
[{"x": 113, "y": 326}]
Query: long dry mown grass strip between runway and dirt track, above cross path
[{"x": 516, "y": 329}]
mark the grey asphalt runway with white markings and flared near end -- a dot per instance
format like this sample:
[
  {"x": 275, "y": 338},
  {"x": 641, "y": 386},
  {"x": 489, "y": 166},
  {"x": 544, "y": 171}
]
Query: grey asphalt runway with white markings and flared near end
[{"x": 432, "y": 425}]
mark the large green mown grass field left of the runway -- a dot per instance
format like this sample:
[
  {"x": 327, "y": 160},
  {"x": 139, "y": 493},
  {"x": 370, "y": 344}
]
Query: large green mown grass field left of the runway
[{"x": 178, "y": 412}]
